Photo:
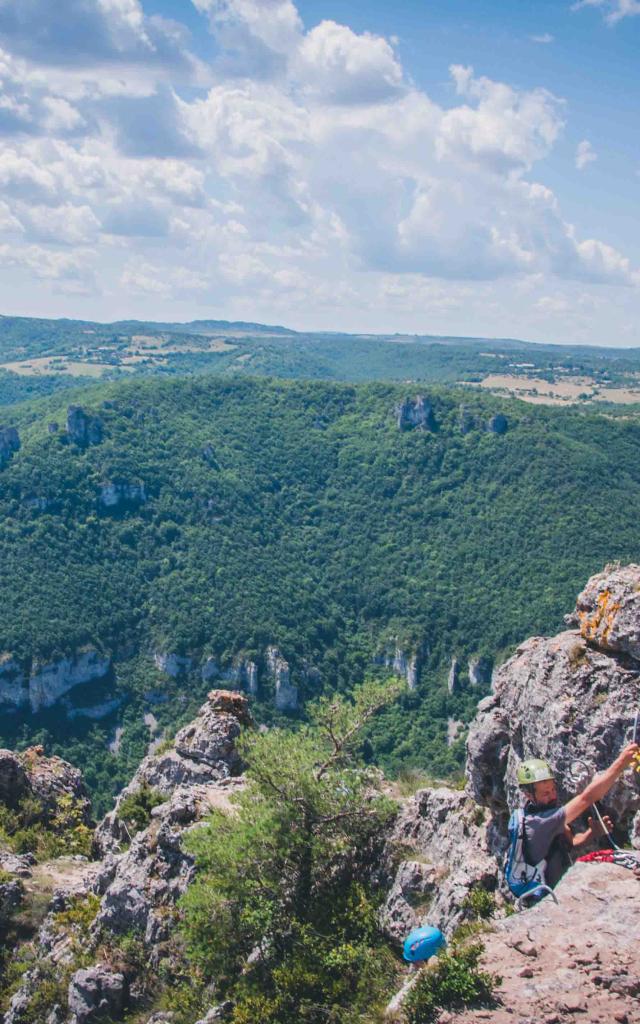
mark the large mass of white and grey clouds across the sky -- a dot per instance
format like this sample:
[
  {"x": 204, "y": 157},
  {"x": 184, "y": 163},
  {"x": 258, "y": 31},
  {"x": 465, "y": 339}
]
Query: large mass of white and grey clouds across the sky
[{"x": 312, "y": 176}]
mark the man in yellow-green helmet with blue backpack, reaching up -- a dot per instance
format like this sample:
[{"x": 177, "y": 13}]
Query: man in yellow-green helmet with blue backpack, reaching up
[{"x": 544, "y": 827}]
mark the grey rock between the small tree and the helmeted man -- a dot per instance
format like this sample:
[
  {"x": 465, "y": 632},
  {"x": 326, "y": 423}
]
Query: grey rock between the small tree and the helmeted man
[{"x": 446, "y": 847}]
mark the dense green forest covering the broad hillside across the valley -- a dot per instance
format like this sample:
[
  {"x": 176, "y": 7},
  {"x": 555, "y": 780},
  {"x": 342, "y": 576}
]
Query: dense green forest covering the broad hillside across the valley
[{"x": 298, "y": 515}]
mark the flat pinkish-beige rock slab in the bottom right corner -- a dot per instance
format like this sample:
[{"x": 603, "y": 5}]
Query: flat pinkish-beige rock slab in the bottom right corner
[{"x": 574, "y": 961}]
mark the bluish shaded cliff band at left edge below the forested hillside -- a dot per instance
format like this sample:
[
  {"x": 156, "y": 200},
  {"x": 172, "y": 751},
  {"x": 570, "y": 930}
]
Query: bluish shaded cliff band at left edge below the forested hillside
[{"x": 42, "y": 685}]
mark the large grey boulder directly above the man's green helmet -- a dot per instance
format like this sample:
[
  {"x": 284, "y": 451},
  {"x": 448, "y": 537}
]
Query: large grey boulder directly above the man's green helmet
[{"x": 560, "y": 700}]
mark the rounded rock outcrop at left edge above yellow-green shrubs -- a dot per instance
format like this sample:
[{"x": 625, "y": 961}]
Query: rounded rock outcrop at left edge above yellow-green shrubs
[{"x": 46, "y": 780}]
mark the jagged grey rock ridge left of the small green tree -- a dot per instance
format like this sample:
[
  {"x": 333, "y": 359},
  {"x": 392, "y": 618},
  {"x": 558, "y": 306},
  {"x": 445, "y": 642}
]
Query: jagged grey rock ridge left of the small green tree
[{"x": 142, "y": 877}]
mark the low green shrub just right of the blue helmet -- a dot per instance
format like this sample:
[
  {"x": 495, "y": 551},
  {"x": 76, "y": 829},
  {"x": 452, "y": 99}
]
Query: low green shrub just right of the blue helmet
[{"x": 455, "y": 983}]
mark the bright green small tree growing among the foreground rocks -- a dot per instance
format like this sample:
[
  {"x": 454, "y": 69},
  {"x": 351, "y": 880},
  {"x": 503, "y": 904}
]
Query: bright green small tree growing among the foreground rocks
[{"x": 283, "y": 916}]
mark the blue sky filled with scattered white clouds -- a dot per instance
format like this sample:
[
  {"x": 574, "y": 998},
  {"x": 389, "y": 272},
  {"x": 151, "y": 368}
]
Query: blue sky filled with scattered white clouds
[{"x": 460, "y": 167}]
